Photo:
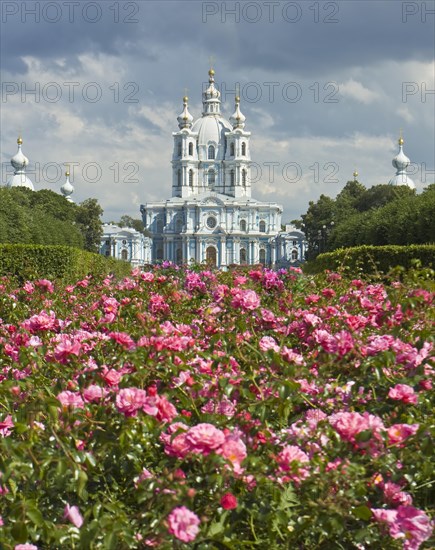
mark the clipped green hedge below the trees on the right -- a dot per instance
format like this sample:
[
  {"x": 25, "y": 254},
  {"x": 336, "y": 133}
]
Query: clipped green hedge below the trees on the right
[{"x": 374, "y": 259}]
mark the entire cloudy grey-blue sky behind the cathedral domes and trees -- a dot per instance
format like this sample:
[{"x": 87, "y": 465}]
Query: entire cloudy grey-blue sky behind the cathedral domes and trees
[{"x": 325, "y": 86}]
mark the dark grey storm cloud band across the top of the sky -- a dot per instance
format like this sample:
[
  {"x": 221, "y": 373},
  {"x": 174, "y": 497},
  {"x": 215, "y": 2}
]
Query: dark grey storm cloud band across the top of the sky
[{"x": 303, "y": 37}]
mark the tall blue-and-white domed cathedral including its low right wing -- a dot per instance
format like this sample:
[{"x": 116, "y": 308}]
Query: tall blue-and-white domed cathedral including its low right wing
[{"x": 212, "y": 216}]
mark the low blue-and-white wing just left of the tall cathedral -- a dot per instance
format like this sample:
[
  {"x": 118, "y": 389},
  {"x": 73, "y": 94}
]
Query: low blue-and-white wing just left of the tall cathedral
[{"x": 125, "y": 243}]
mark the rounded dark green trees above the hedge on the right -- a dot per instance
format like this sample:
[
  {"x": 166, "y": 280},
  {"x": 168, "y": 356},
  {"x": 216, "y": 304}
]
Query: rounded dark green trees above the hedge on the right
[{"x": 381, "y": 215}]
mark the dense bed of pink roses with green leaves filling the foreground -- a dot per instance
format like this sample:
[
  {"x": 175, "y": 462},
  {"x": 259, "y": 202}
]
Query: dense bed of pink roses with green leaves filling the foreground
[{"x": 192, "y": 408}]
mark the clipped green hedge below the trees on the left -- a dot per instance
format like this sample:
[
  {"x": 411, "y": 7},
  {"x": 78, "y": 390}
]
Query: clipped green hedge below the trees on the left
[{"x": 27, "y": 262}]
